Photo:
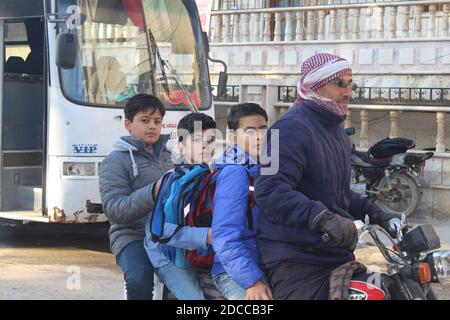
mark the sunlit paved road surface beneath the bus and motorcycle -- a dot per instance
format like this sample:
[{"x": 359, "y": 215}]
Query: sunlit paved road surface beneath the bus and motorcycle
[{"x": 74, "y": 262}]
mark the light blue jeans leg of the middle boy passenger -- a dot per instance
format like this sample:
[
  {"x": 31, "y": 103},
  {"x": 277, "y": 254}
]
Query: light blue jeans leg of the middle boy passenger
[{"x": 183, "y": 283}]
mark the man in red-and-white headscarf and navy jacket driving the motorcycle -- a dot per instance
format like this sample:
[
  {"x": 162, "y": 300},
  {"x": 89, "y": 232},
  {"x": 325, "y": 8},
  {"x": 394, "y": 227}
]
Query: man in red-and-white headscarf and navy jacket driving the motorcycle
[{"x": 306, "y": 231}]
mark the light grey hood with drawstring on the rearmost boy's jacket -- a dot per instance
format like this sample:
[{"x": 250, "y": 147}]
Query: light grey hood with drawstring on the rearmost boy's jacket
[{"x": 130, "y": 144}]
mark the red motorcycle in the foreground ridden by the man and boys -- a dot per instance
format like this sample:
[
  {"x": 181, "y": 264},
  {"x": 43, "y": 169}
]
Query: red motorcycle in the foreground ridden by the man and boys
[{"x": 412, "y": 265}]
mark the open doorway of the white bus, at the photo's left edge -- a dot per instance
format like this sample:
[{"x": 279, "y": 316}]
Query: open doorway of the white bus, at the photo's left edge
[{"x": 23, "y": 105}]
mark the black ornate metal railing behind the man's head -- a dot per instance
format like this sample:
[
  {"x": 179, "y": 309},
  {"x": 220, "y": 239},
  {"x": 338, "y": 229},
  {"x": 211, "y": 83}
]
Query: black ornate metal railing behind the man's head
[{"x": 385, "y": 95}]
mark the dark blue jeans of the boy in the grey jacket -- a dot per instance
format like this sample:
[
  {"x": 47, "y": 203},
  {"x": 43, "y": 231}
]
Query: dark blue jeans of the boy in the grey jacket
[{"x": 137, "y": 270}]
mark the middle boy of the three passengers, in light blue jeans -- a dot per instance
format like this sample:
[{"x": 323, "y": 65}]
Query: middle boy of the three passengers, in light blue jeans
[{"x": 196, "y": 136}]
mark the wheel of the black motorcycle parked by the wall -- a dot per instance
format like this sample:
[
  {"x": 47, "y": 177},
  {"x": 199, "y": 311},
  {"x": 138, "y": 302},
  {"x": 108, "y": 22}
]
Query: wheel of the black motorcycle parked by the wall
[{"x": 402, "y": 196}]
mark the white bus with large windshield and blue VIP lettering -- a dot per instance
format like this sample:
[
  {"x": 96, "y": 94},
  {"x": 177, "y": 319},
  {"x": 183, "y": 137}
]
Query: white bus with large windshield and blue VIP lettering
[{"x": 68, "y": 68}]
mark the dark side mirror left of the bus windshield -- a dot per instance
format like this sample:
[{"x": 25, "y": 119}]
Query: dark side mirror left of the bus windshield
[{"x": 66, "y": 50}]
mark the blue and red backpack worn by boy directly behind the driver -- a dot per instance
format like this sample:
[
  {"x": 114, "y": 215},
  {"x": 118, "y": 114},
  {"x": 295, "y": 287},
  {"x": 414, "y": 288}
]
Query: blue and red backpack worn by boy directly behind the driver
[{"x": 192, "y": 185}]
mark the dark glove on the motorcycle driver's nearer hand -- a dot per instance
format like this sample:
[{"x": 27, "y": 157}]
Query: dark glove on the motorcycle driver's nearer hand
[{"x": 341, "y": 232}]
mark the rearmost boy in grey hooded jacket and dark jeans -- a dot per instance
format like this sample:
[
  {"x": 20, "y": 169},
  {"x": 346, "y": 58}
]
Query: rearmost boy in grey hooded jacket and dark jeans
[{"x": 127, "y": 179}]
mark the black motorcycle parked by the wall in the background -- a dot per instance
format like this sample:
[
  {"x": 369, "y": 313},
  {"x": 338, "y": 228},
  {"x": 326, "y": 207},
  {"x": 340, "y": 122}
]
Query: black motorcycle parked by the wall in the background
[{"x": 392, "y": 182}]
